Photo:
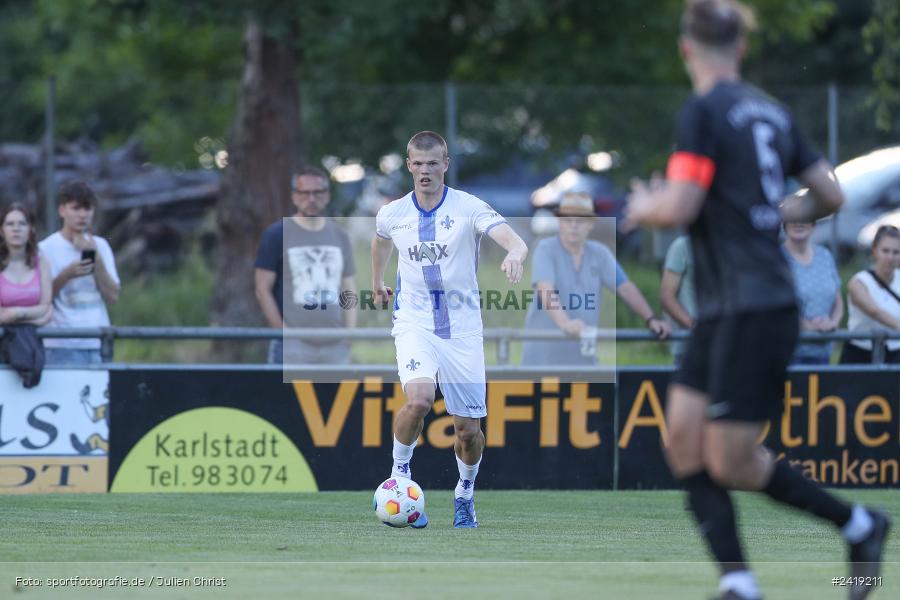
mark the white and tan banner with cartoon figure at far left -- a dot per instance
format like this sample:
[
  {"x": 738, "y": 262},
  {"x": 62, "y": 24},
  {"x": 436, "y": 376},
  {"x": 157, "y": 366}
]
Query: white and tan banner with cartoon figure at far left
[{"x": 54, "y": 437}]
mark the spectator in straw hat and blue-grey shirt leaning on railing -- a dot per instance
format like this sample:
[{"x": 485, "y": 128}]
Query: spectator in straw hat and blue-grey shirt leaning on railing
[{"x": 569, "y": 272}]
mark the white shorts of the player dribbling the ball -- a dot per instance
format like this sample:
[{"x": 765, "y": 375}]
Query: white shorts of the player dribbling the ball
[{"x": 457, "y": 365}]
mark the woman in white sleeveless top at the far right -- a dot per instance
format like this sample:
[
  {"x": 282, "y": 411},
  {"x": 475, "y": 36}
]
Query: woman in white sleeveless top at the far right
[{"x": 874, "y": 297}]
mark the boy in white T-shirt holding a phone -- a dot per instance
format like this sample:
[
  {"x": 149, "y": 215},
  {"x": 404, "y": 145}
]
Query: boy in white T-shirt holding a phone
[{"x": 84, "y": 274}]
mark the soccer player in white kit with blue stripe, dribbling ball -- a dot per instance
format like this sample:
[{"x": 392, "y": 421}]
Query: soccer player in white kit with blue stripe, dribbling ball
[{"x": 437, "y": 315}]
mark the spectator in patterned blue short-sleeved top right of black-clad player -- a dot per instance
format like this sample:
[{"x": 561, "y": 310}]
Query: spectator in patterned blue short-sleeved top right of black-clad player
[{"x": 818, "y": 287}]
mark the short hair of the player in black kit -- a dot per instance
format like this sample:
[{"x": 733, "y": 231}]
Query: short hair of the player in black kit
[{"x": 717, "y": 24}]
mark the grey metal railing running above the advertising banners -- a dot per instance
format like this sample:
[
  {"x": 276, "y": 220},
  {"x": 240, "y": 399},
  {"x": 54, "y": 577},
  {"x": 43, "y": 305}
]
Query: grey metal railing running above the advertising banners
[{"x": 502, "y": 337}]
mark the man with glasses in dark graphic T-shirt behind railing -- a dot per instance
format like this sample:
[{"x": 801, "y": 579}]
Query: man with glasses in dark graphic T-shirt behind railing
[{"x": 304, "y": 266}]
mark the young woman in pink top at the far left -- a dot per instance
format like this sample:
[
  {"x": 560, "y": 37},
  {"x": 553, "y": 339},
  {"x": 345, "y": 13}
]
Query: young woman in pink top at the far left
[{"x": 26, "y": 287}]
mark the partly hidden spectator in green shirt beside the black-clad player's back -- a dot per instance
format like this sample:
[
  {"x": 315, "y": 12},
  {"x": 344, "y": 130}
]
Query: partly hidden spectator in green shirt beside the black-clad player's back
[{"x": 676, "y": 289}]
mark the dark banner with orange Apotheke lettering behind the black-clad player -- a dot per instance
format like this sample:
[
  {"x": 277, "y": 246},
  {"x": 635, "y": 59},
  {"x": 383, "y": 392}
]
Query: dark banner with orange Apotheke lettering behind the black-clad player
[{"x": 842, "y": 428}]
